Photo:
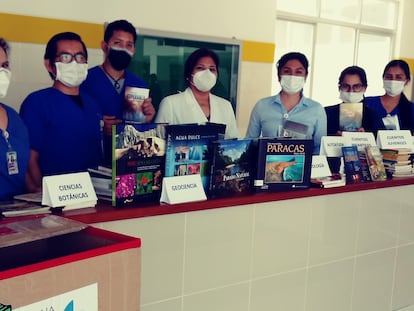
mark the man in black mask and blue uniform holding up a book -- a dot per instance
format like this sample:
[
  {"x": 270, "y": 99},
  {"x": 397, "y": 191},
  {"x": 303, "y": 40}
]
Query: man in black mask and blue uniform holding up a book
[{"x": 106, "y": 83}]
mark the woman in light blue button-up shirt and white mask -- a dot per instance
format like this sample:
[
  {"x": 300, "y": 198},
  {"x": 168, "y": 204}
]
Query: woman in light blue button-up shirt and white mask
[{"x": 271, "y": 113}]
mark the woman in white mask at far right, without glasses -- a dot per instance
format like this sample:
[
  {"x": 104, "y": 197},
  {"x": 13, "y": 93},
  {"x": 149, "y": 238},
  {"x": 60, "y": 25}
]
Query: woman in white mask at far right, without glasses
[{"x": 394, "y": 108}]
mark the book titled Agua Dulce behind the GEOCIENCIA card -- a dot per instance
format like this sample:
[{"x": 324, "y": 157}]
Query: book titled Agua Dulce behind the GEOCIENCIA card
[{"x": 188, "y": 149}]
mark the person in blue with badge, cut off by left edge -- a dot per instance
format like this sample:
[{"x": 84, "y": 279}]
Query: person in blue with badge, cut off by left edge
[{"x": 14, "y": 139}]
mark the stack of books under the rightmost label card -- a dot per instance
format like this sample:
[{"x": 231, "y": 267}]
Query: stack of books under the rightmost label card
[{"x": 398, "y": 162}]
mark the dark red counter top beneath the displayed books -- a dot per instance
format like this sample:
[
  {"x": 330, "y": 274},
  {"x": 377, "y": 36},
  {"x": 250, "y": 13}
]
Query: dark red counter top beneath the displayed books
[{"x": 104, "y": 212}]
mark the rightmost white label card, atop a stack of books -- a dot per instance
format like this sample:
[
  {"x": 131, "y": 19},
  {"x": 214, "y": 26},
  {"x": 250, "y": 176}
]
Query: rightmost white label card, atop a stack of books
[{"x": 395, "y": 139}]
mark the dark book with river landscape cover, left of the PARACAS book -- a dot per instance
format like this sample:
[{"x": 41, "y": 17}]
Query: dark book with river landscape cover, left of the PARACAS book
[{"x": 233, "y": 167}]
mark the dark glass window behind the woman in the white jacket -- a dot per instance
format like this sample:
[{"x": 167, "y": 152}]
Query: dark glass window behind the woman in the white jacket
[{"x": 160, "y": 56}]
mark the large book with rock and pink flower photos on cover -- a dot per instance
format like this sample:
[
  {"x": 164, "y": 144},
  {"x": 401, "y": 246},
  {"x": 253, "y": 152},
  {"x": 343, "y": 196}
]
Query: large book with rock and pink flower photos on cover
[{"x": 138, "y": 162}]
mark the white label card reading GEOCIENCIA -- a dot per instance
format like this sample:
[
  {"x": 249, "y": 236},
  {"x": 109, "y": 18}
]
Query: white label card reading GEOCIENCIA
[{"x": 181, "y": 189}]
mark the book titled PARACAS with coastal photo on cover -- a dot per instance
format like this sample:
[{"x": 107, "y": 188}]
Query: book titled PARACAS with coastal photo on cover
[{"x": 283, "y": 164}]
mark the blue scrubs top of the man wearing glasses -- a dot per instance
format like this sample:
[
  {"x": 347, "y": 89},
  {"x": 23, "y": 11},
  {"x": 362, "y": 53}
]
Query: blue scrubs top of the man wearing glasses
[{"x": 66, "y": 135}]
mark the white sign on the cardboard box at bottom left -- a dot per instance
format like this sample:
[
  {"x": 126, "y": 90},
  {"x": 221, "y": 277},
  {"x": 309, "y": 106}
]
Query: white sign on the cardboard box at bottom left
[{"x": 81, "y": 299}]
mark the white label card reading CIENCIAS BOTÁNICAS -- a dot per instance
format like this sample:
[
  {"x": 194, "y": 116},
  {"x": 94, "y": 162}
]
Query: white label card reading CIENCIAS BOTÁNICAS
[{"x": 68, "y": 189}]
